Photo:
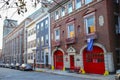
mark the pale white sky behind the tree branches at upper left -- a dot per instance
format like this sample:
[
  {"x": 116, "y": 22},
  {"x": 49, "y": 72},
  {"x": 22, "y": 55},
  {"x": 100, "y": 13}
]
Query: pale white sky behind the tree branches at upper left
[{"x": 11, "y": 13}]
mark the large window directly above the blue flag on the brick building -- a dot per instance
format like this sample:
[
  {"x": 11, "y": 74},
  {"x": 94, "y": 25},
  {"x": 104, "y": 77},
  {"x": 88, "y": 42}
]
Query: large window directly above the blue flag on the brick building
[{"x": 90, "y": 24}]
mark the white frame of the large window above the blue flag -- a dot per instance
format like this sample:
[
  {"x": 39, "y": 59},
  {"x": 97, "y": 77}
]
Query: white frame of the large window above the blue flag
[{"x": 85, "y": 21}]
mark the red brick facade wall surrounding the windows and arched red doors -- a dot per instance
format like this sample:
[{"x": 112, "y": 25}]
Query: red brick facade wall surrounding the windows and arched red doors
[{"x": 104, "y": 34}]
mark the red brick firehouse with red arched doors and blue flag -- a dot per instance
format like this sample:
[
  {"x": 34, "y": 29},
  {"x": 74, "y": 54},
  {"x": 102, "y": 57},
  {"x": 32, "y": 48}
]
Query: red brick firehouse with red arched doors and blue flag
[{"x": 83, "y": 35}]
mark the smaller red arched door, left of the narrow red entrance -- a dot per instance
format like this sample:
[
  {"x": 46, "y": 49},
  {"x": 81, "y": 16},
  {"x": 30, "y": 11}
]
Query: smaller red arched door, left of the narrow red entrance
[{"x": 58, "y": 60}]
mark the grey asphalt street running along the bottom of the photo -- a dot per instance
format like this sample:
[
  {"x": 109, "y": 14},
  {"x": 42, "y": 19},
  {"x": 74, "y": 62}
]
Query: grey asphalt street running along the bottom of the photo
[{"x": 11, "y": 74}]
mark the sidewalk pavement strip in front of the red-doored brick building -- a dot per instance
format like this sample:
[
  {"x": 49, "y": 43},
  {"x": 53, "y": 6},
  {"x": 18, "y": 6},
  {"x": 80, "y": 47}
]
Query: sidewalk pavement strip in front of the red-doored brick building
[{"x": 66, "y": 73}]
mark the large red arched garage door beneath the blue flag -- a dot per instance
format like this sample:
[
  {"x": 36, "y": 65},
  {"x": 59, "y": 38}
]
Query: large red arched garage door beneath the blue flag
[{"x": 94, "y": 60}]
